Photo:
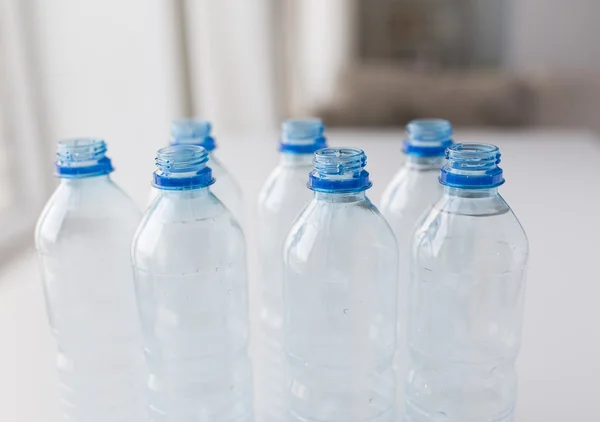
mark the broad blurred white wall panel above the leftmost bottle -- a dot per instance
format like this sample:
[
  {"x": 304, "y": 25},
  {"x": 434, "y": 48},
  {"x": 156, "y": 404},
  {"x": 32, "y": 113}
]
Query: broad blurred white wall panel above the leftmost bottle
[{"x": 111, "y": 69}]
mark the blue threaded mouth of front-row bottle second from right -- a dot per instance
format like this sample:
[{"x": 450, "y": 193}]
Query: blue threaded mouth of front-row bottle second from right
[{"x": 339, "y": 170}]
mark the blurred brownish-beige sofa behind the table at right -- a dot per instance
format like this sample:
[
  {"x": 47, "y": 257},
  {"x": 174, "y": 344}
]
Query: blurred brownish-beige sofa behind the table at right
[{"x": 388, "y": 95}]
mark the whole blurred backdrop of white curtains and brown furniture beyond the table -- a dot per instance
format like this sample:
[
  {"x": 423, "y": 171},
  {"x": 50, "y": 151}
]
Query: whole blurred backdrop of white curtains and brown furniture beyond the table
[{"x": 122, "y": 70}]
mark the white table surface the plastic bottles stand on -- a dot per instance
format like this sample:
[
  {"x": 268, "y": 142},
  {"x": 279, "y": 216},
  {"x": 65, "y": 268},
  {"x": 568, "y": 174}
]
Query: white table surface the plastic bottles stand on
[{"x": 552, "y": 183}]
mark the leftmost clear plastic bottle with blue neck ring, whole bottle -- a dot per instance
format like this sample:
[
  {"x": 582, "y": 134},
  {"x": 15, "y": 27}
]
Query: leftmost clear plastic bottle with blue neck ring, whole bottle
[{"x": 83, "y": 239}]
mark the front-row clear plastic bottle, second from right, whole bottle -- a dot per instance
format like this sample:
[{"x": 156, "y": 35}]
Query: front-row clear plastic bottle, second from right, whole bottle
[{"x": 341, "y": 263}]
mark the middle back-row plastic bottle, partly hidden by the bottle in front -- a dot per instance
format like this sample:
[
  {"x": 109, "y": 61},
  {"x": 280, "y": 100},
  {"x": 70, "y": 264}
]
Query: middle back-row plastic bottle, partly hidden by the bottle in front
[{"x": 281, "y": 200}]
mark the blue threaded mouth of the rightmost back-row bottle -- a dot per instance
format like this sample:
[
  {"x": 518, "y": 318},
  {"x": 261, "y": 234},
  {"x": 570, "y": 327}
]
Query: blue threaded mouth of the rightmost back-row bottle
[{"x": 428, "y": 137}]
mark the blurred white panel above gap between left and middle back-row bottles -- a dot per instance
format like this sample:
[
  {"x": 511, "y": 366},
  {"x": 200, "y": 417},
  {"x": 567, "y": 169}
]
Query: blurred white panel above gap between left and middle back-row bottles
[{"x": 231, "y": 57}]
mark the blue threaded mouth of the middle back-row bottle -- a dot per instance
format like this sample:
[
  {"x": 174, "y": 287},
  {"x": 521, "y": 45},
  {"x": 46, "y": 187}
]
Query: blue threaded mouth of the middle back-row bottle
[{"x": 302, "y": 136}]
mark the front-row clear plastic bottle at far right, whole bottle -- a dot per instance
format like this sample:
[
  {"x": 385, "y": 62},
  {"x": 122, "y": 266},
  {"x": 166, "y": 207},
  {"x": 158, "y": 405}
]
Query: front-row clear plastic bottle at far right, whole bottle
[{"x": 467, "y": 292}]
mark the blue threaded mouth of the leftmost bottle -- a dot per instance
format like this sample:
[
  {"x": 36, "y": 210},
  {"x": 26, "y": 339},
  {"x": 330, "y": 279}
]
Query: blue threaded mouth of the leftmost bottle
[{"x": 82, "y": 157}]
